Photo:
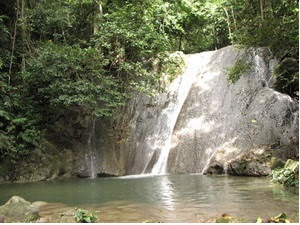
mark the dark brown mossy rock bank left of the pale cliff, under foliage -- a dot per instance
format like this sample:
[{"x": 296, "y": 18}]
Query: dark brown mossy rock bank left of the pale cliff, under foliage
[{"x": 59, "y": 157}]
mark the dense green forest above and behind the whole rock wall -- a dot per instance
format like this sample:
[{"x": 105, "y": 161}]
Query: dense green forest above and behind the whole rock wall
[{"x": 89, "y": 56}]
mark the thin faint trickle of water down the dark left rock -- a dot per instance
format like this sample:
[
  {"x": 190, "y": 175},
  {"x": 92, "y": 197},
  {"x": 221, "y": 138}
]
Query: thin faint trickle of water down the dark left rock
[{"x": 90, "y": 156}]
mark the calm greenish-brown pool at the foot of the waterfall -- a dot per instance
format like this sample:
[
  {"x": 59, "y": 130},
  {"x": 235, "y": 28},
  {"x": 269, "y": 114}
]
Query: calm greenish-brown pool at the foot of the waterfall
[{"x": 168, "y": 198}]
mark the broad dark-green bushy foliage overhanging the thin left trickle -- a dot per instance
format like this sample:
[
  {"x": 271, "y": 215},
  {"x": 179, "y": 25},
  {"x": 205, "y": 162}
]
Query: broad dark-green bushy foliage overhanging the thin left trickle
[{"x": 63, "y": 78}]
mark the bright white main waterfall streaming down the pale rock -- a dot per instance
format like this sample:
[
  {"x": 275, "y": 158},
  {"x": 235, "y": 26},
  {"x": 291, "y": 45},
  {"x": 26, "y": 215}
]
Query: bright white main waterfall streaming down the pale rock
[{"x": 178, "y": 91}]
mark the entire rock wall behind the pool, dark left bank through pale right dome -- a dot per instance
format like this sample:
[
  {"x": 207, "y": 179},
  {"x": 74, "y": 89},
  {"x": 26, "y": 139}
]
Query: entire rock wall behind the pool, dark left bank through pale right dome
[{"x": 216, "y": 127}]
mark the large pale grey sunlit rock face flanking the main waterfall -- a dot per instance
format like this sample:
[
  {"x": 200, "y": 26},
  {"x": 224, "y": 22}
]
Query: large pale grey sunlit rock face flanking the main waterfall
[{"x": 218, "y": 121}]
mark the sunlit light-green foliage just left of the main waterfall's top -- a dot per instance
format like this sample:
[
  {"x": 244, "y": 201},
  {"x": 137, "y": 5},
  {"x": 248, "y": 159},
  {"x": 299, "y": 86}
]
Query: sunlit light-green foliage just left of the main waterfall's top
[{"x": 130, "y": 44}]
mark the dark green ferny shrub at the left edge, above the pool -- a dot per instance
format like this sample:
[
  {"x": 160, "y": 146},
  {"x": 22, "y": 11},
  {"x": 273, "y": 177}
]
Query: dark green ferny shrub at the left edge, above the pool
[{"x": 18, "y": 134}]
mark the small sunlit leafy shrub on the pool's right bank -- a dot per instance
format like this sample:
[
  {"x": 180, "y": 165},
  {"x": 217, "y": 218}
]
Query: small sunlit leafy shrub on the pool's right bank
[{"x": 288, "y": 175}]
